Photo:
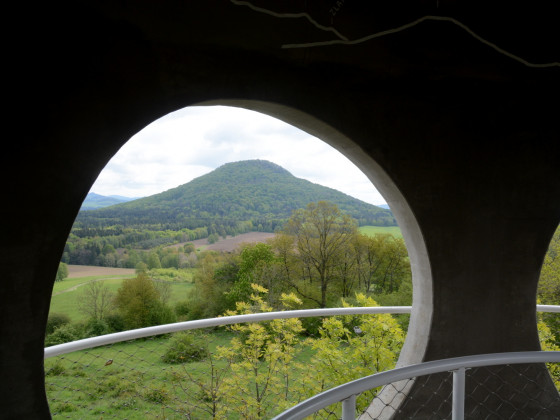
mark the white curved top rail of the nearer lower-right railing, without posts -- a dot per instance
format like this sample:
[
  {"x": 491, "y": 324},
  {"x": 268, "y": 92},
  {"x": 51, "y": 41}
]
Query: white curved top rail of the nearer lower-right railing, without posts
[{"x": 342, "y": 392}]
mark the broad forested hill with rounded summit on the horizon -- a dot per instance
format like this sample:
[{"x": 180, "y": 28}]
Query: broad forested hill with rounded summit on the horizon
[{"x": 236, "y": 197}]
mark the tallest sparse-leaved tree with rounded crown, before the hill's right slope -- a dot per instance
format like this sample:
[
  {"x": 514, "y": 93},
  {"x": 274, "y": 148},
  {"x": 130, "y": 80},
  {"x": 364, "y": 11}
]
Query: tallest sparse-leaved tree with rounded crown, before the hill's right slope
[{"x": 321, "y": 233}]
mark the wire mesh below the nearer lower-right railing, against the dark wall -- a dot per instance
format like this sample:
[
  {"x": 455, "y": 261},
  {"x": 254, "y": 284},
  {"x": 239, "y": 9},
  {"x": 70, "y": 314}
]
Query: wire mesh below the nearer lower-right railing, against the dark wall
[{"x": 516, "y": 391}]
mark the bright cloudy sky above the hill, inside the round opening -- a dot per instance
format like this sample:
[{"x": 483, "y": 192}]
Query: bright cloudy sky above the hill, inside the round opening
[{"x": 194, "y": 141}]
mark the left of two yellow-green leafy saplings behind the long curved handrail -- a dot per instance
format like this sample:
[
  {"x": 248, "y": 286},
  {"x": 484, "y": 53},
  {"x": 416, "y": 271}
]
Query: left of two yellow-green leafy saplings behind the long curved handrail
[{"x": 262, "y": 362}]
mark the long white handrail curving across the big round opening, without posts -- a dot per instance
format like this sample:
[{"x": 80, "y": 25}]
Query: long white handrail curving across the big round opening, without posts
[{"x": 102, "y": 340}]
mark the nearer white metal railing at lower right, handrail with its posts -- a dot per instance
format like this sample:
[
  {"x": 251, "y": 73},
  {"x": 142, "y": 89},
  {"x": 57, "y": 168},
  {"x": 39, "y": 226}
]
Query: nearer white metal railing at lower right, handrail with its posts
[{"x": 347, "y": 393}]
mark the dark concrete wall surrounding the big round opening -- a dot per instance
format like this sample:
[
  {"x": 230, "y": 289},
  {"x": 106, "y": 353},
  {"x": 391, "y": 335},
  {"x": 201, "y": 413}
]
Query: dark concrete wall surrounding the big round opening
[{"x": 460, "y": 136}]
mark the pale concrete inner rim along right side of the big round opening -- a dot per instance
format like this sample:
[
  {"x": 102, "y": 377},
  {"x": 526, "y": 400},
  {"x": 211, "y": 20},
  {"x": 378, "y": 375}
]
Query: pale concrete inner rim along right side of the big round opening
[{"x": 417, "y": 335}]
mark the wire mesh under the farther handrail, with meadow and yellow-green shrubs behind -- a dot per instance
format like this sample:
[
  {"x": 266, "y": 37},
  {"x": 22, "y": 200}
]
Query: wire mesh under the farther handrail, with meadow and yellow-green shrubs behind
[{"x": 242, "y": 371}]
